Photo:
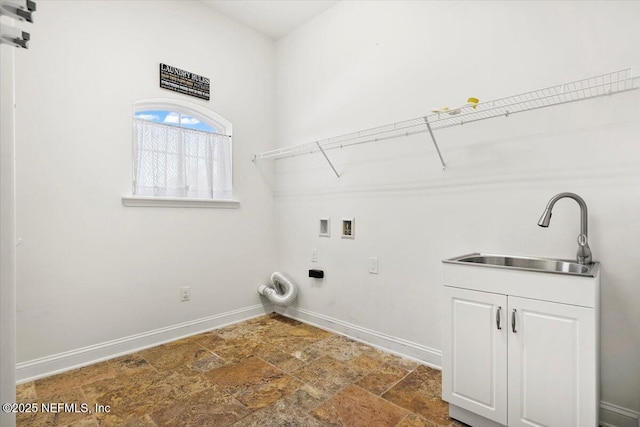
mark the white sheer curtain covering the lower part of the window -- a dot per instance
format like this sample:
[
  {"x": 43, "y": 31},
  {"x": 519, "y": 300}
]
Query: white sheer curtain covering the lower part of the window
[{"x": 170, "y": 161}]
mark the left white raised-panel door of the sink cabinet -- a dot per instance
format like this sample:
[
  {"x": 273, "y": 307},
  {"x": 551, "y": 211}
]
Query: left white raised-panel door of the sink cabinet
[{"x": 474, "y": 368}]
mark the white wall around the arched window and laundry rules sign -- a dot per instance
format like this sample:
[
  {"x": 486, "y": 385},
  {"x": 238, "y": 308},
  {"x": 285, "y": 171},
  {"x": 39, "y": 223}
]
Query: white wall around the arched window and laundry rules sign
[{"x": 89, "y": 269}]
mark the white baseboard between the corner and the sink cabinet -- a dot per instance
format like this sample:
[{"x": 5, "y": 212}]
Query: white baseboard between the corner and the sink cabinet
[{"x": 408, "y": 349}]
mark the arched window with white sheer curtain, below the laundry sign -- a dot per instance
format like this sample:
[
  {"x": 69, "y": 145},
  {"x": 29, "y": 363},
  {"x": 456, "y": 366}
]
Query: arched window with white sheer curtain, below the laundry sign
[{"x": 180, "y": 150}]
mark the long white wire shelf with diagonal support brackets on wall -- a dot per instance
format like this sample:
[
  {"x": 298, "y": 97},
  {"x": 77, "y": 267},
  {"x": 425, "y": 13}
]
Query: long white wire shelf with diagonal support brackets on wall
[{"x": 601, "y": 85}]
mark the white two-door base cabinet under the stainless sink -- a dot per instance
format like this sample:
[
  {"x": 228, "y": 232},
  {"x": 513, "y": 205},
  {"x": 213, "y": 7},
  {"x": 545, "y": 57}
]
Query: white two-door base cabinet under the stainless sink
[{"x": 518, "y": 358}]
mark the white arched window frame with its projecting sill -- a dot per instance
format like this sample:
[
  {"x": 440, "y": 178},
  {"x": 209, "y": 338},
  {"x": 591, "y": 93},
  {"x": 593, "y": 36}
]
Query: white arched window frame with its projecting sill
[{"x": 222, "y": 125}]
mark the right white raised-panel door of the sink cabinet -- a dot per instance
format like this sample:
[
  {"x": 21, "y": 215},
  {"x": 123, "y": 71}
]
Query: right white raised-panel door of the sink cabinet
[{"x": 552, "y": 364}]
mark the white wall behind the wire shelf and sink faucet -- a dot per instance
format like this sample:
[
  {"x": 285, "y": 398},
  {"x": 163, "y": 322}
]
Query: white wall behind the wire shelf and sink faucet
[{"x": 364, "y": 64}]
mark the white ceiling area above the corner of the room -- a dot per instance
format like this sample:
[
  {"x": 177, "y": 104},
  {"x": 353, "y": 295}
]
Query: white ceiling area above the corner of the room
[{"x": 273, "y": 18}]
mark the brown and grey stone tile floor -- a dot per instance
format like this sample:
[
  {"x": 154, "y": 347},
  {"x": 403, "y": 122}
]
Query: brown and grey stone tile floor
[{"x": 267, "y": 371}]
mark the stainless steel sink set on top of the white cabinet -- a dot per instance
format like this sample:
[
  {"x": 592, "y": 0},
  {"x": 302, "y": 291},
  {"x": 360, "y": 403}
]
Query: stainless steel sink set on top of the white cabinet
[{"x": 544, "y": 265}]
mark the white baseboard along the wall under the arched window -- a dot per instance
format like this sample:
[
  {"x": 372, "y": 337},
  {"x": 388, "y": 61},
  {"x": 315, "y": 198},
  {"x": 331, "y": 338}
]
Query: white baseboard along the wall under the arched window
[{"x": 57, "y": 363}]
